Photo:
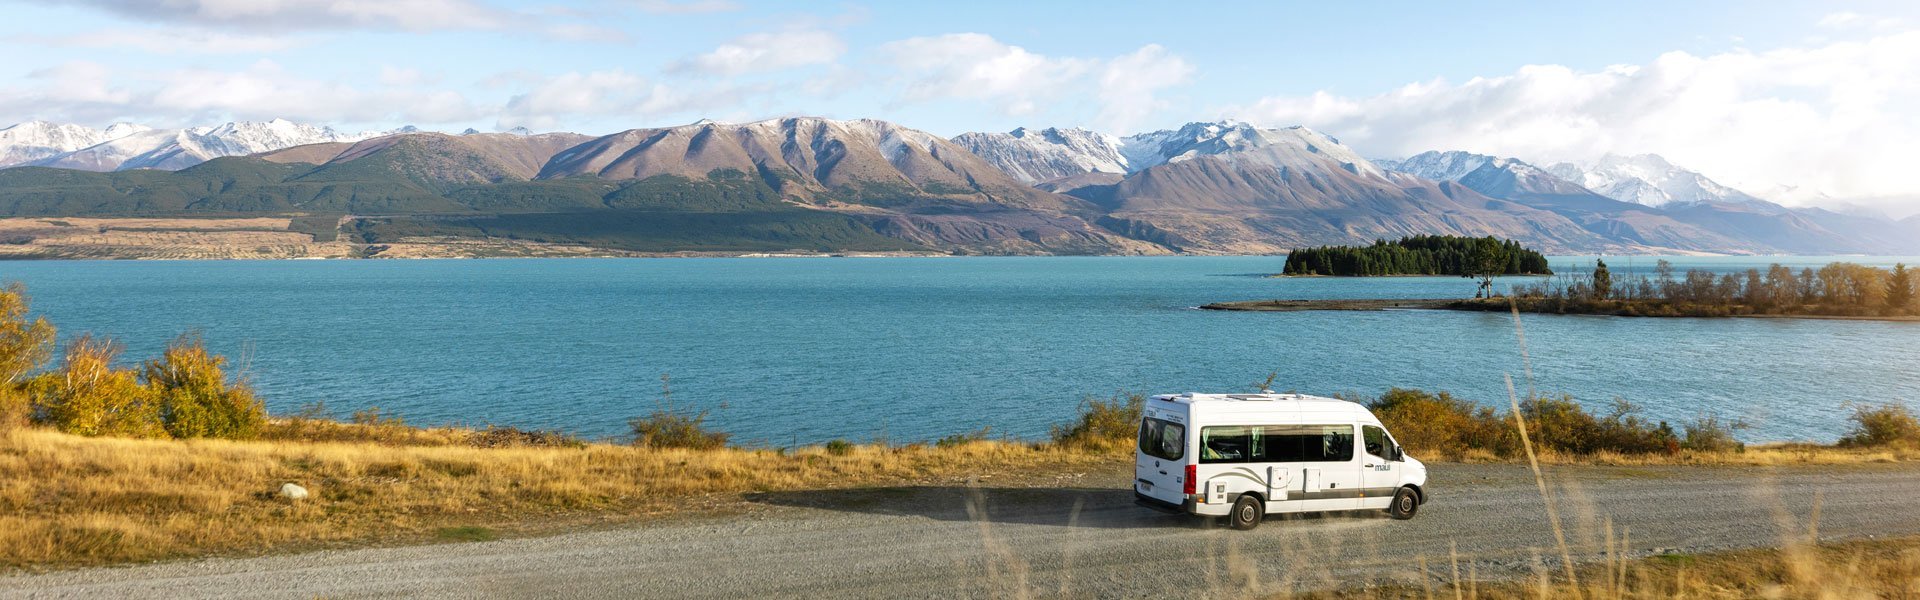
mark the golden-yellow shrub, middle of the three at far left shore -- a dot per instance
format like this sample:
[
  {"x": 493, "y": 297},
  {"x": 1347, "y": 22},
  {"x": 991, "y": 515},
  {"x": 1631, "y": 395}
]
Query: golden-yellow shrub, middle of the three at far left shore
[{"x": 91, "y": 397}]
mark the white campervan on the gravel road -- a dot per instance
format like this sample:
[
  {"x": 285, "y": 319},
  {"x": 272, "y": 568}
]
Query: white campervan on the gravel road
[{"x": 1243, "y": 457}]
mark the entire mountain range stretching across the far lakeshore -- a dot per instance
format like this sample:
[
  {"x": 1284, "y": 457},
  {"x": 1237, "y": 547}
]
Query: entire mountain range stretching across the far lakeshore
[{"x": 811, "y": 184}]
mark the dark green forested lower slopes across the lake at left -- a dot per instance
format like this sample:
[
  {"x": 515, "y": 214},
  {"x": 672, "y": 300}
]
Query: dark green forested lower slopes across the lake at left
[{"x": 725, "y": 212}]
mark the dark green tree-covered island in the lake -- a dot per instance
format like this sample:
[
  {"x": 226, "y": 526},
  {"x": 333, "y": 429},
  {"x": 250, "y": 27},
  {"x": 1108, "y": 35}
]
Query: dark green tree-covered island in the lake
[{"x": 1424, "y": 255}]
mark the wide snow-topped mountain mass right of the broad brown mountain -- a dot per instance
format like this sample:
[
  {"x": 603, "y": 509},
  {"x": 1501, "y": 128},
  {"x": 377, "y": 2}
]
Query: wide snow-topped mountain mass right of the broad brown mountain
[{"x": 1236, "y": 187}]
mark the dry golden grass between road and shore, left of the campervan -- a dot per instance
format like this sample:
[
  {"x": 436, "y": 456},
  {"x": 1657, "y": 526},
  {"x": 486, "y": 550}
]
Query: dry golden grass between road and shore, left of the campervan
[{"x": 72, "y": 501}]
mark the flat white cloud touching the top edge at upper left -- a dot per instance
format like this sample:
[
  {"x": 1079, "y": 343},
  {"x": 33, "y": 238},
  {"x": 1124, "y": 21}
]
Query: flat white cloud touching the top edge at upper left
[{"x": 312, "y": 14}]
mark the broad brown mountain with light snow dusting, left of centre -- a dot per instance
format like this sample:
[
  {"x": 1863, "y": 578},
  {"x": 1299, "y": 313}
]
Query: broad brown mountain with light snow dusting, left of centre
[{"x": 907, "y": 184}]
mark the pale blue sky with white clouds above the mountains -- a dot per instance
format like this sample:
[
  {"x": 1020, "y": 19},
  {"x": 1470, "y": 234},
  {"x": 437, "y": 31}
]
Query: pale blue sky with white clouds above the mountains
[{"x": 1810, "y": 101}]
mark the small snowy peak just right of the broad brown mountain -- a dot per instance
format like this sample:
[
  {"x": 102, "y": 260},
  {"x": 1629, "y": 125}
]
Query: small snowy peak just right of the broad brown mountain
[{"x": 1036, "y": 157}]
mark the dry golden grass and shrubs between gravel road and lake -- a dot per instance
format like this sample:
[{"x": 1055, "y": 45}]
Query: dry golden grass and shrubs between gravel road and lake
[{"x": 178, "y": 459}]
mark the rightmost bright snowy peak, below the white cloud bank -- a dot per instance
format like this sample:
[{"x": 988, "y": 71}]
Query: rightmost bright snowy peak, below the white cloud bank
[{"x": 1650, "y": 180}]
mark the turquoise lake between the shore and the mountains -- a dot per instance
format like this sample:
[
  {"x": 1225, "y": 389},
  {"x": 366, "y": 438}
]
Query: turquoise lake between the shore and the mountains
[{"x": 796, "y": 351}]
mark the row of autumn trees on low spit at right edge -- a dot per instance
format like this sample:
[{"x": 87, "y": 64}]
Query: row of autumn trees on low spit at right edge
[{"x": 1836, "y": 289}]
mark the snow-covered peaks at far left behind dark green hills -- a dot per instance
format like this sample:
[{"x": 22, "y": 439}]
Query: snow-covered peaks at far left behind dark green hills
[{"x": 178, "y": 149}]
